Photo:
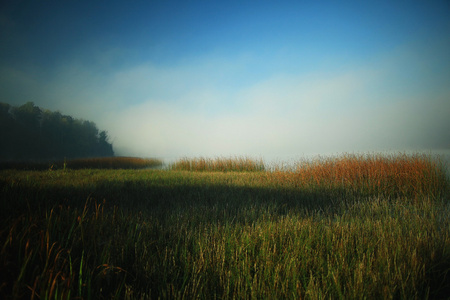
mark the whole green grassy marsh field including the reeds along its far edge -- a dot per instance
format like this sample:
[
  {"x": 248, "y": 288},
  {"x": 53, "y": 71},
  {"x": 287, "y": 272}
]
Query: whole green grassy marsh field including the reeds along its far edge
[{"x": 350, "y": 227}]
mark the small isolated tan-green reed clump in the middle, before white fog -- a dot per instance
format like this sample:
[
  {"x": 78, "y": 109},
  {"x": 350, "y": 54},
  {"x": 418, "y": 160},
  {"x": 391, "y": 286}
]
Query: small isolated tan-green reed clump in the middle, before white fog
[{"x": 219, "y": 164}]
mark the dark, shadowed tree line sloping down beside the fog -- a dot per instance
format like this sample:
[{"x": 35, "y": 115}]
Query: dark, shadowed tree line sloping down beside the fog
[{"x": 28, "y": 132}]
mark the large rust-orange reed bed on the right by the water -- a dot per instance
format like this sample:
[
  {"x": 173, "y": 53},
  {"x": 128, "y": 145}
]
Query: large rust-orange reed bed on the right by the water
[{"x": 391, "y": 176}]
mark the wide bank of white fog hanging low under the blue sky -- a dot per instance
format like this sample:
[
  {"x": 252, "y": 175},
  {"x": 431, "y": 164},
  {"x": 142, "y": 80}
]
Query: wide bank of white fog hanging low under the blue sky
[{"x": 207, "y": 108}]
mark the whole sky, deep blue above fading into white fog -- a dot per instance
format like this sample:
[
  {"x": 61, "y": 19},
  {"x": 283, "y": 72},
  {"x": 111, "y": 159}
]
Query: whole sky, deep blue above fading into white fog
[{"x": 265, "y": 79}]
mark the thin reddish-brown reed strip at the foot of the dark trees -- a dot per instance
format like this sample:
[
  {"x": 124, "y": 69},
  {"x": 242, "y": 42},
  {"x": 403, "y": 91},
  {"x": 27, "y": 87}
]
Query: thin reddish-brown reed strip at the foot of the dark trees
[{"x": 113, "y": 163}]
